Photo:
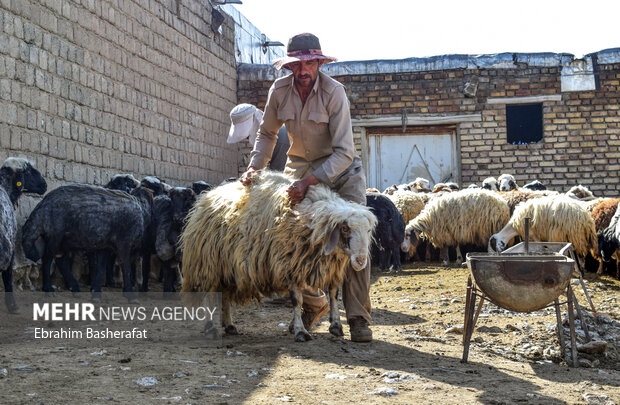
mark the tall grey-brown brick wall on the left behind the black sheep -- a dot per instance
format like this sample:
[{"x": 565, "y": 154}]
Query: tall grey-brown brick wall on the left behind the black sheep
[{"x": 92, "y": 88}]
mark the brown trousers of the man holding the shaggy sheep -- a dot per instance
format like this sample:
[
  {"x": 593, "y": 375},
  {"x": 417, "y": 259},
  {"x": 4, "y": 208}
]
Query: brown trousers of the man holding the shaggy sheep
[{"x": 351, "y": 186}]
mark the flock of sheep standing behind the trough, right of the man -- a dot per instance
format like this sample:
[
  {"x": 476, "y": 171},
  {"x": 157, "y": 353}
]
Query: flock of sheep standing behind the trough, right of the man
[{"x": 491, "y": 217}]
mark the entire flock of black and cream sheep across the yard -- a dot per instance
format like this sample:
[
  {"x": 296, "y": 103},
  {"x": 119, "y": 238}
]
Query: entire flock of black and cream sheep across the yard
[{"x": 248, "y": 241}]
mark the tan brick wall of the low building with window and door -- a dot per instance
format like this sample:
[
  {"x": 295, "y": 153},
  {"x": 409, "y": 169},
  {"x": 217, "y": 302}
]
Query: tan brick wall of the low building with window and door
[{"x": 581, "y": 137}]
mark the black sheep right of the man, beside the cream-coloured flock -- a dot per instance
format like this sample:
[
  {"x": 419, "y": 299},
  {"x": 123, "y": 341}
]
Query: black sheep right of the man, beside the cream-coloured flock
[{"x": 390, "y": 230}]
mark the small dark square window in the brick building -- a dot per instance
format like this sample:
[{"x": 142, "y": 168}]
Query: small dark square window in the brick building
[{"x": 524, "y": 123}]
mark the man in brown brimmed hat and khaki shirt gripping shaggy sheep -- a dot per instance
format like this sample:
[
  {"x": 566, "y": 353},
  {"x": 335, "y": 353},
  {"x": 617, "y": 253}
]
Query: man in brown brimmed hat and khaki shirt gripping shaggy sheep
[{"x": 315, "y": 109}]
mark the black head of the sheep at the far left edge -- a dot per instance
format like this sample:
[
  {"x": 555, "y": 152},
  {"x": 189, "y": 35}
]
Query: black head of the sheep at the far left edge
[{"x": 19, "y": 176}]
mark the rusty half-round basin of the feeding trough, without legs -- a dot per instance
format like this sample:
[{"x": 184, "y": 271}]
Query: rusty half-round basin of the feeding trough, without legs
[{"x": 521, "y": 282}]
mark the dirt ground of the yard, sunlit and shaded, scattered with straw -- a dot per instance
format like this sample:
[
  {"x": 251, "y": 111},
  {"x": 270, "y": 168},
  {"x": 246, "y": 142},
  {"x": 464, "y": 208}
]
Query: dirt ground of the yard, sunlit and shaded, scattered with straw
[{"x": 414, "y": 358}]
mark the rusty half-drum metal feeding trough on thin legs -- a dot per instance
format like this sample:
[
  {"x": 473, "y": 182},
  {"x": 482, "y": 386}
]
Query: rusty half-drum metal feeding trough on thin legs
[{"x": 527, "y": 277}]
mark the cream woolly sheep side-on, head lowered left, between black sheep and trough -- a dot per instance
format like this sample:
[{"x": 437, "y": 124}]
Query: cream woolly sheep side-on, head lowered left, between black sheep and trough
[{"x": 462, "y": 217}]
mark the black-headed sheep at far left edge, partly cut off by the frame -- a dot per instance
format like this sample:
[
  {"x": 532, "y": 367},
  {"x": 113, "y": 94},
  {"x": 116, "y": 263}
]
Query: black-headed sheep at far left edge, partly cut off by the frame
[{"x": 17, "y": 176}]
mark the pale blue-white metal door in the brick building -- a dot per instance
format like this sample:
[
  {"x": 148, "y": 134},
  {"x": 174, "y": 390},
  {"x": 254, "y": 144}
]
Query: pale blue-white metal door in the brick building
[{"x": 395, "y": 157}]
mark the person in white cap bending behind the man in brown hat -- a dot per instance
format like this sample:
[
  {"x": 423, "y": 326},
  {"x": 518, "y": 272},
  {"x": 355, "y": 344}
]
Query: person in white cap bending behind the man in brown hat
[{"x": 245, "y": 119}]
